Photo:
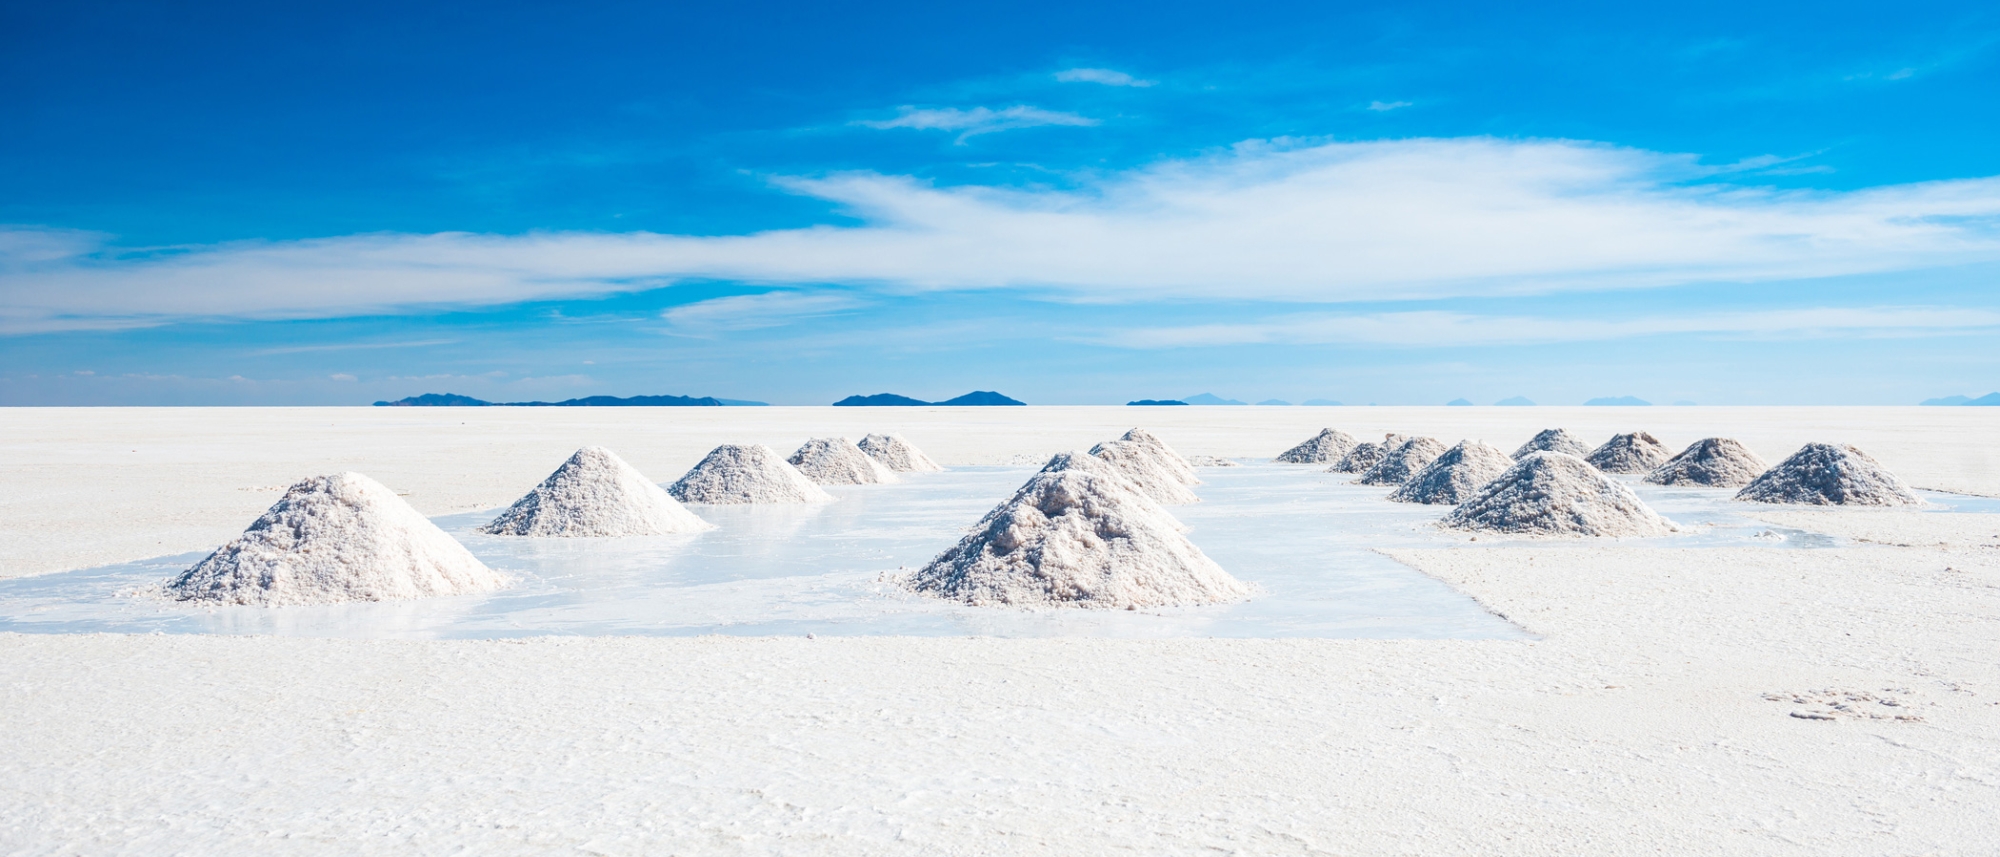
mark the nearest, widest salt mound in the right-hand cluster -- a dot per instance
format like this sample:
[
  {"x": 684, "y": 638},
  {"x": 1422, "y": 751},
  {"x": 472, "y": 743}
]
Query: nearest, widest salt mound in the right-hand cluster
[{"x": 1555, "y": 494}]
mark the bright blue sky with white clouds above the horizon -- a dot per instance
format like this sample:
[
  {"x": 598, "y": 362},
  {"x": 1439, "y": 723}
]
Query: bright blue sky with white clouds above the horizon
[{"x": 1069, "y": 203}]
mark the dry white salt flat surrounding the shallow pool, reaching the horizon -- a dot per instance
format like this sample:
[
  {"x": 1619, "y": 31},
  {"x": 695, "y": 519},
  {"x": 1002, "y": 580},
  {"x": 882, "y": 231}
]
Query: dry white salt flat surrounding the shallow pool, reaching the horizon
[{"x": 1705, "y": 700}]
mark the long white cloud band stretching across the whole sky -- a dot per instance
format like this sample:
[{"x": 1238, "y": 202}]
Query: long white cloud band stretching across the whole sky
[{"x": 1355, "y": 221}]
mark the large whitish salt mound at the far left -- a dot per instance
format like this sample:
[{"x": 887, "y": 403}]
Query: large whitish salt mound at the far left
[{"x": 335, "y": 540}]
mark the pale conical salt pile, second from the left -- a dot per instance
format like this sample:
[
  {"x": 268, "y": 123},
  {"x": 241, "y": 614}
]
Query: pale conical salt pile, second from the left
[{"x": 597, "y": 496}]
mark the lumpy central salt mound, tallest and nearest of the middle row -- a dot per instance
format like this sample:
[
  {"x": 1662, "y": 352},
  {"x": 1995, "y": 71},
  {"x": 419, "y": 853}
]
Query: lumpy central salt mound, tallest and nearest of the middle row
[{"x": 1075, "y": 538}]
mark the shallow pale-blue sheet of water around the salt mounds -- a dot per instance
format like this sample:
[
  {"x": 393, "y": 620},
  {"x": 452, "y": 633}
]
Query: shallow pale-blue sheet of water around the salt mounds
[{"x": 1305, "y": 538}]
